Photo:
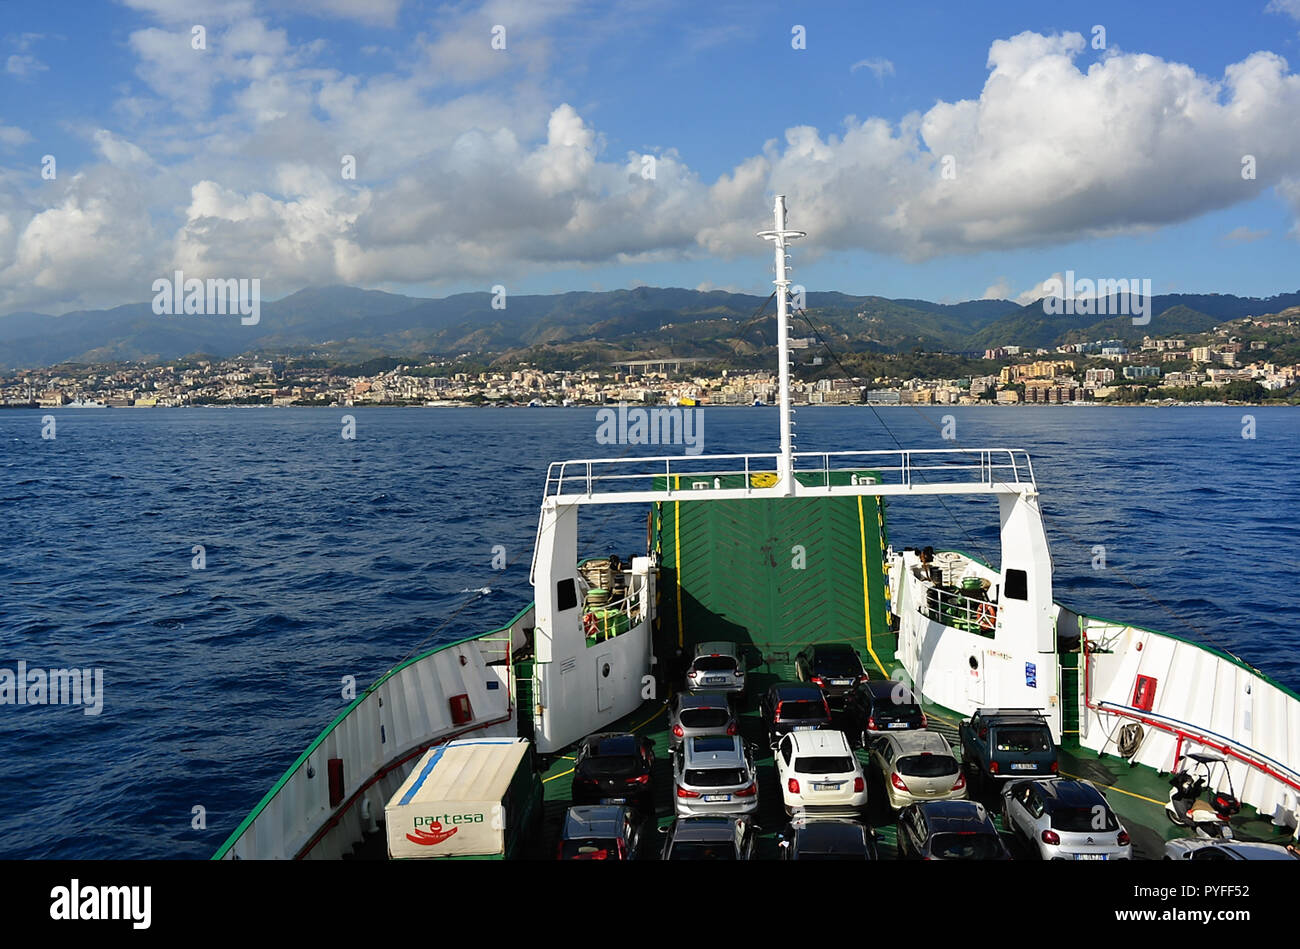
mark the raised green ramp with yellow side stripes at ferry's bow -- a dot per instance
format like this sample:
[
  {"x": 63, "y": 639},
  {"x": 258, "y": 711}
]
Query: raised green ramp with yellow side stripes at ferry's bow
[{"x": 777, "y": 574}]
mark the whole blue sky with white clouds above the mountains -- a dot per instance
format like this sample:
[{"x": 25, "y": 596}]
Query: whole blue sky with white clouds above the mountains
[{"x": 521, "y": 166}]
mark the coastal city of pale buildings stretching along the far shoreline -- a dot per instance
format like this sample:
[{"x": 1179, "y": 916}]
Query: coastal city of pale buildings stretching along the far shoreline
[{"x": 1223, "y": 366}]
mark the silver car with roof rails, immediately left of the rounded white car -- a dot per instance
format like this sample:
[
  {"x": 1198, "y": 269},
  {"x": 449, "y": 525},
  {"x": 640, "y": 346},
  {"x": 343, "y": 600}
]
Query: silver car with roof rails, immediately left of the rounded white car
[{"x": 714, "y": 774}]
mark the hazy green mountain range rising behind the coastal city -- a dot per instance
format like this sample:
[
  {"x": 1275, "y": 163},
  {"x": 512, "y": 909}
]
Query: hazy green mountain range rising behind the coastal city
[{"x": 584, "y": 328}]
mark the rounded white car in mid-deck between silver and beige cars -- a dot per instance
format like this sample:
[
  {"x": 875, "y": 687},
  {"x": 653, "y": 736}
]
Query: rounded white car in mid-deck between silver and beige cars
[{"x": 820, "y": 774}]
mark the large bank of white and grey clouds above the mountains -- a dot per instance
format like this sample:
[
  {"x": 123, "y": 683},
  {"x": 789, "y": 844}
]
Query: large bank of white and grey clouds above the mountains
[{"x": 501, "y": 180}]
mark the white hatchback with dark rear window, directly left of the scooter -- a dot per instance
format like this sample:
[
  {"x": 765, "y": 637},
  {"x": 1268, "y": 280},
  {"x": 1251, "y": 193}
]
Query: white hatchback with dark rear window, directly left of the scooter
[{"x": 1063, "y": 820}]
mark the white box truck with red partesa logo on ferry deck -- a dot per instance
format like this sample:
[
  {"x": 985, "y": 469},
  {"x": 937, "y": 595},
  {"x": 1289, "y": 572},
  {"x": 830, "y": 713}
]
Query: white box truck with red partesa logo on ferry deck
[{"x": 474, "y": 799}]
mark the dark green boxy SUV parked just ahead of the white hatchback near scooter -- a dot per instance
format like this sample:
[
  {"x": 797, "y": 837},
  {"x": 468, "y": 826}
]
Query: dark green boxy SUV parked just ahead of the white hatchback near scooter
[{"x": 1002, "y": 744}]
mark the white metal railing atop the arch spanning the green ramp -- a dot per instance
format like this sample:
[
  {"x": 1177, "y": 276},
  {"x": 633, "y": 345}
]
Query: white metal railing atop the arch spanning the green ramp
[{"x": 756, "y": 474}]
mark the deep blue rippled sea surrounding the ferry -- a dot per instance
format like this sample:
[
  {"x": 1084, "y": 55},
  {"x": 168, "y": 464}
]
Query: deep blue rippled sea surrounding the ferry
[{"x": 324, "y": 558}]
